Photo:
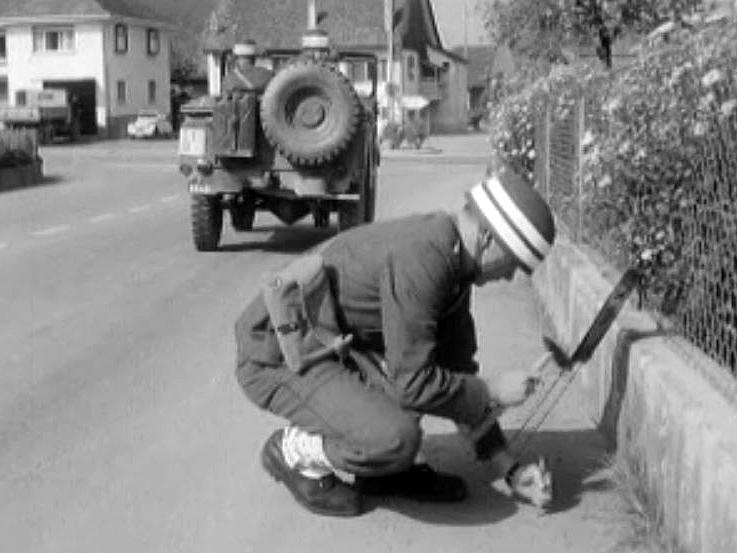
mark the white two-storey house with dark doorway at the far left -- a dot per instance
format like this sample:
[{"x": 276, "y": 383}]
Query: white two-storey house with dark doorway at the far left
[{"x": 112, "y": 56}]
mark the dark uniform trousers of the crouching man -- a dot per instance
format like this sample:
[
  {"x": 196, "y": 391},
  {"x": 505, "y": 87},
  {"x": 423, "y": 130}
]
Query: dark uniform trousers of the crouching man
[{"x": 349, "y": 402}]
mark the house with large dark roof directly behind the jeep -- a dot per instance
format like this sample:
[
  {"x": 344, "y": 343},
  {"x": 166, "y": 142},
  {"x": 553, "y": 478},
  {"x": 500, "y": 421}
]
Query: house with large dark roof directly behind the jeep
[{"x": 428, "y": 78}]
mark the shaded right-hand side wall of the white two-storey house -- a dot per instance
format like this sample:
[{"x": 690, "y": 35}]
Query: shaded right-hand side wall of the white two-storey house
[{"x": 136, "y": 67}]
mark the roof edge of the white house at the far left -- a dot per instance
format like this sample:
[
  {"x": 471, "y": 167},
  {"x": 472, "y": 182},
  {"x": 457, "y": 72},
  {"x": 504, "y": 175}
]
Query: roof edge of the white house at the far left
[{"x": 22, "y": 9}]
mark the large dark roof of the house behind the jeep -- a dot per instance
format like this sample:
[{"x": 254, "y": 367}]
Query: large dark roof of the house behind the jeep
[{"x": 355, "y": 23}]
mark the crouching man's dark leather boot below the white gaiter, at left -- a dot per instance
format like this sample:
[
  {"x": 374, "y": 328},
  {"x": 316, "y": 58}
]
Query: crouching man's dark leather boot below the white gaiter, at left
[{"x": 324, "y": 496}]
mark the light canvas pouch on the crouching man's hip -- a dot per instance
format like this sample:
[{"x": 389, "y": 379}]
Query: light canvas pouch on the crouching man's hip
[{"x": 303, "y": 313}]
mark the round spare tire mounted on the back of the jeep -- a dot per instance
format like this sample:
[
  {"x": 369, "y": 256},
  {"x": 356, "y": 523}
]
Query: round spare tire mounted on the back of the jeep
[{"x": 309, "y": 112}]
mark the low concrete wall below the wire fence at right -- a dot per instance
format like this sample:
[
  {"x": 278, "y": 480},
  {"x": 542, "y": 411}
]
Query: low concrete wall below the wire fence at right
[{"x": 650, "y": 397}]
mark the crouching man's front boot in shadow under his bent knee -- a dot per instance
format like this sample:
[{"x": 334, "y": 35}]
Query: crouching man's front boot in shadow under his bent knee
[{"x": 420, "y": 482}]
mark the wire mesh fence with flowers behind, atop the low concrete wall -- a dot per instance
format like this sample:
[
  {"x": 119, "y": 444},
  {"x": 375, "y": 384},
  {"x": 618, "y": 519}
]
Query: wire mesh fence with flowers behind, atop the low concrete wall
[{"x": 670, "y": 207}]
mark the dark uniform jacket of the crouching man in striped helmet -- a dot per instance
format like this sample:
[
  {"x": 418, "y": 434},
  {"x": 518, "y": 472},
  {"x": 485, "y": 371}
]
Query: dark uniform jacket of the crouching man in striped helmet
[{"x": 399, "y": 285}]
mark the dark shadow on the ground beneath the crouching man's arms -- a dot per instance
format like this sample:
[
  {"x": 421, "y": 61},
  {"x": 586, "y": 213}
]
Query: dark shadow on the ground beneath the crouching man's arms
[{"x": 578, "y": 460}]
